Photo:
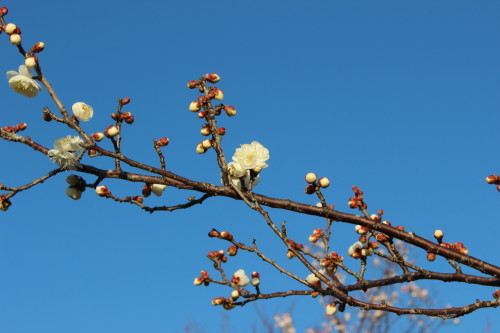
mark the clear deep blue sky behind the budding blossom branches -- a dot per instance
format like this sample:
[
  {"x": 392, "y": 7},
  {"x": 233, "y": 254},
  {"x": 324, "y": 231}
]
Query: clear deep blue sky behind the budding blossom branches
[{"x": 400, "y": 98}]
